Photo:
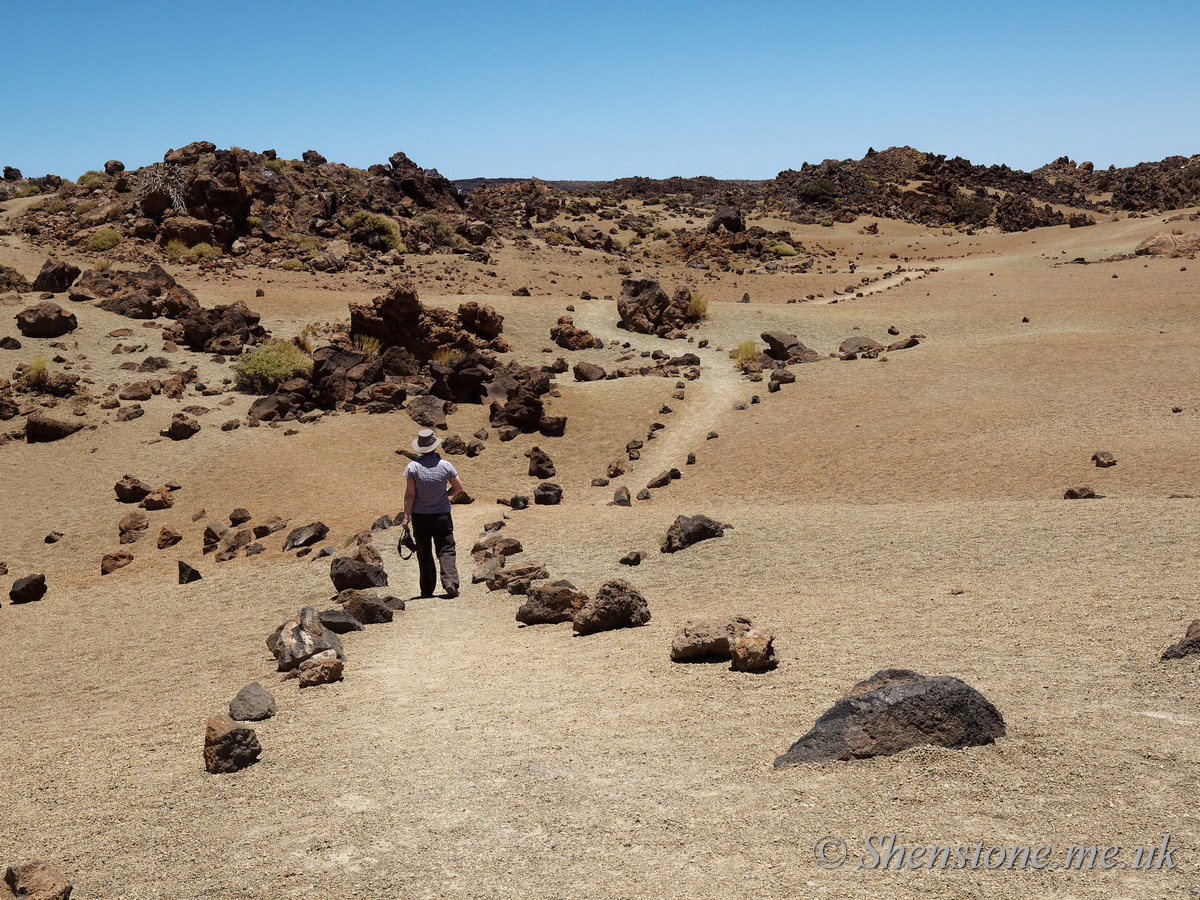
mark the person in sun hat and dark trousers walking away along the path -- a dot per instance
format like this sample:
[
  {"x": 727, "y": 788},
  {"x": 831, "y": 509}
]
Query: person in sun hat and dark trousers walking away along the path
[{"x": 428, "y": 506}]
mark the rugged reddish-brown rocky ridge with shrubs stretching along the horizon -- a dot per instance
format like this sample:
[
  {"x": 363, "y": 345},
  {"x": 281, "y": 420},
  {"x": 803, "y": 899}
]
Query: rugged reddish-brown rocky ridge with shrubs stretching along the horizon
[{"x": 207, "y": 205}]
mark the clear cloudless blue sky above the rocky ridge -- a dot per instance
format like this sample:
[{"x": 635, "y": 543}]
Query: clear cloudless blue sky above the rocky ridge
[{"x": 599, "y": 91}]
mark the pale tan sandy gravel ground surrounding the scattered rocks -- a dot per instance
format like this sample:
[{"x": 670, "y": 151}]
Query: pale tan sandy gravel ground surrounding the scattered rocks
[{"x": 904, "y": 513}]
